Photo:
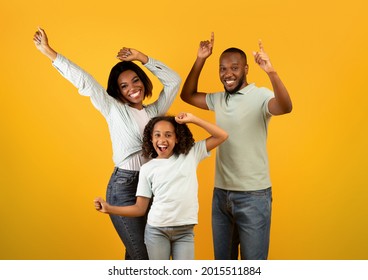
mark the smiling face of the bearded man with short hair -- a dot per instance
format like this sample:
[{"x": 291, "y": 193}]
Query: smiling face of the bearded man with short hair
[{"x": 233, "y": 71}]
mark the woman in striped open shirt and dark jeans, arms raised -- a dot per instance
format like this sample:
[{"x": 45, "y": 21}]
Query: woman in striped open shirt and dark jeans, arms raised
[{"x": 122, "y": 106}]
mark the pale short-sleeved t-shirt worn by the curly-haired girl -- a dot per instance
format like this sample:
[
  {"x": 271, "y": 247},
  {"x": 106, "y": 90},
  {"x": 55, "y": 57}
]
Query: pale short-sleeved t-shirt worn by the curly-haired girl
[{"x": 174, "y": 186}]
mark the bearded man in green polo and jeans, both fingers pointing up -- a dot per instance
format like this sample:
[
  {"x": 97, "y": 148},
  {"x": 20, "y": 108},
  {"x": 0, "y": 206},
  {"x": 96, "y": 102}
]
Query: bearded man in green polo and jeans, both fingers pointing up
[{"x": 241, "y": 206}]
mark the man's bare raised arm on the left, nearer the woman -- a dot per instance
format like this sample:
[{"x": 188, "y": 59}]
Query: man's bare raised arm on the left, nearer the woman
[{"x": 189, "y": 92}]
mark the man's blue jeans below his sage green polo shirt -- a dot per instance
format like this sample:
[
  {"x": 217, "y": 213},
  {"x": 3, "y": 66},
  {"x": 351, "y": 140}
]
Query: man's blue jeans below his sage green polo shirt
[{"x": 241, "y": 218}]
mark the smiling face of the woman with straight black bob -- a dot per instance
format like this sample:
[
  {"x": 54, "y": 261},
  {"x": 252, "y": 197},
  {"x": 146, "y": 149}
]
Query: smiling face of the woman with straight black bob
[{"x": 131, "y": 88}]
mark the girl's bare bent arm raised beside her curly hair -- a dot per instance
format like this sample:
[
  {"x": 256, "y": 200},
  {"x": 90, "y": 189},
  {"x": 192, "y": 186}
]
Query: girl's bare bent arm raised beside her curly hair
[{"x": 218, "y": 135}]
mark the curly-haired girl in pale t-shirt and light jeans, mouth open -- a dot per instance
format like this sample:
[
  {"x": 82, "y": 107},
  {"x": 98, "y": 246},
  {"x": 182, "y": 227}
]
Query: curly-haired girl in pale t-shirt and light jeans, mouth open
[{"x": 170, "y": 178}]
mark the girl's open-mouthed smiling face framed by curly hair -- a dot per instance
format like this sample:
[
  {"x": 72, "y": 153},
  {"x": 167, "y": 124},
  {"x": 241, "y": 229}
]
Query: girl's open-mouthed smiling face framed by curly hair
[{"x": 164, "y": 139}]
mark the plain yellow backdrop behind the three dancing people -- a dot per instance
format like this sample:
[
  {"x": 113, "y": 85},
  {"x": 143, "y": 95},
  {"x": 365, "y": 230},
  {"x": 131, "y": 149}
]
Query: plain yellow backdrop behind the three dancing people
[{"x": 56, "y": 151}]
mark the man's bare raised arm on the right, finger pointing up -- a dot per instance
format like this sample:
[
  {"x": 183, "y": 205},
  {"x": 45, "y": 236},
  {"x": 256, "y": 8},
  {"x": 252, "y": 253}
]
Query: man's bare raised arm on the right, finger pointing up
[{"x": 281, "y": 104}]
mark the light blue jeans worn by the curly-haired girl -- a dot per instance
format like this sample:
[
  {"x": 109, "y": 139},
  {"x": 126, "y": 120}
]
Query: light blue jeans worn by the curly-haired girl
[{"x": 163, "y": 242}]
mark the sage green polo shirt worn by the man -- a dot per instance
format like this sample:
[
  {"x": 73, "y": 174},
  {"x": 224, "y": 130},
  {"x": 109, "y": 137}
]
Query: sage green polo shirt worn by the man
[{"x": 242, "y": 160}]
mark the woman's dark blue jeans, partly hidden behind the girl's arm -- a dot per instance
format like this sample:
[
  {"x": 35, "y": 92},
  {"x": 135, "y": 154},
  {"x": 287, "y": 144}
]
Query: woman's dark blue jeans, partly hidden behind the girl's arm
[{"x": 121, "y": 191}]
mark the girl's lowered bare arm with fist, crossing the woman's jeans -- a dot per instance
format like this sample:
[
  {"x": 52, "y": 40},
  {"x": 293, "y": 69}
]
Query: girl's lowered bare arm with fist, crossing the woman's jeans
[{"x": 137, "y": 210}]
